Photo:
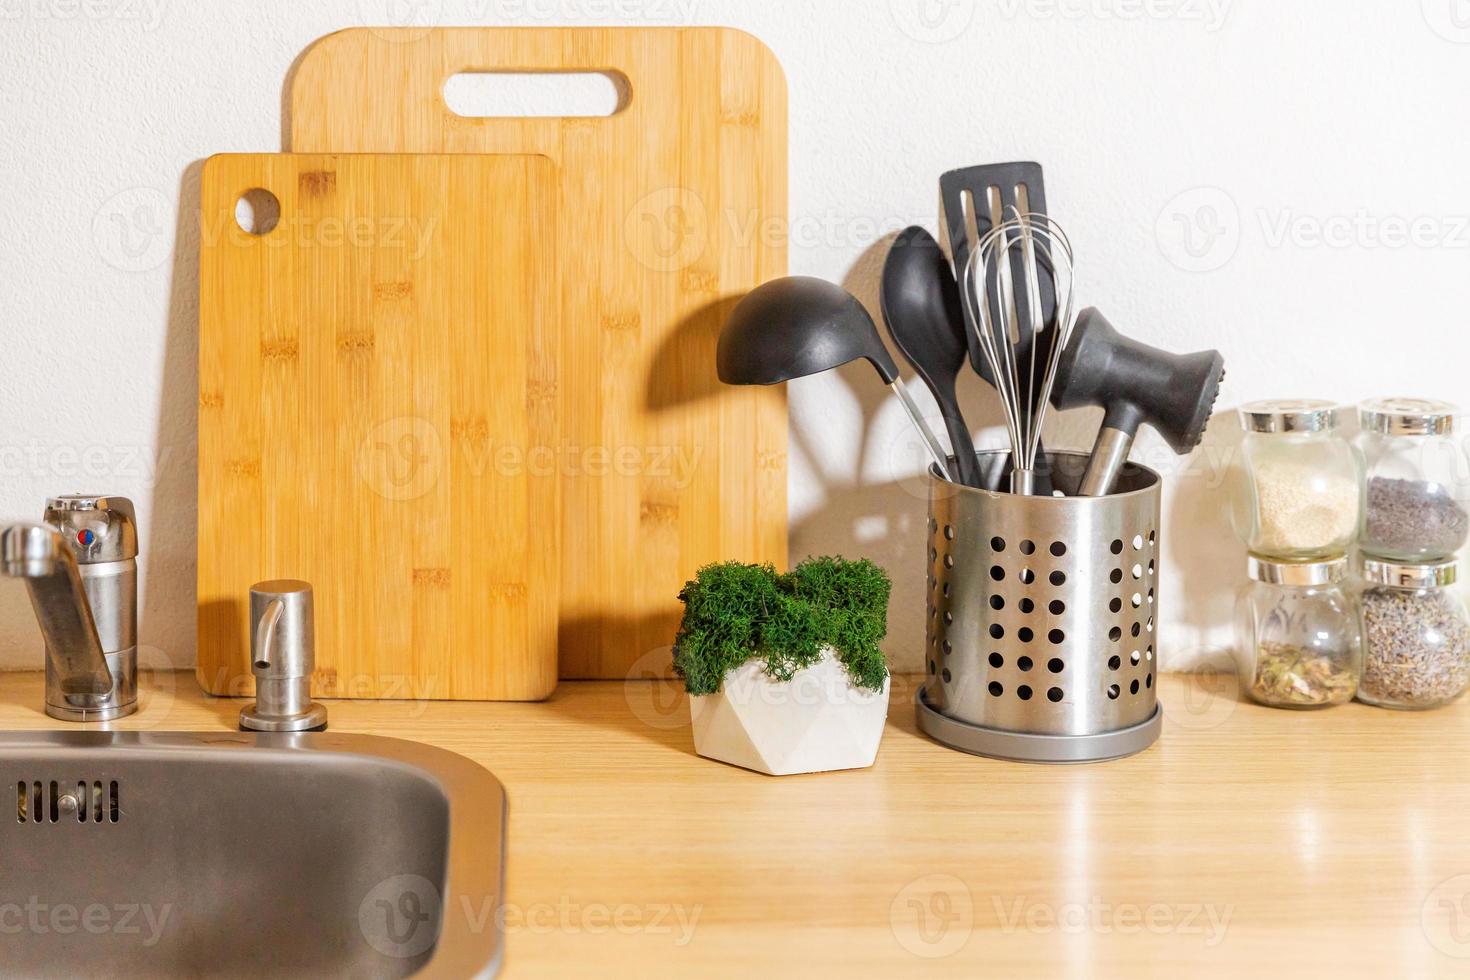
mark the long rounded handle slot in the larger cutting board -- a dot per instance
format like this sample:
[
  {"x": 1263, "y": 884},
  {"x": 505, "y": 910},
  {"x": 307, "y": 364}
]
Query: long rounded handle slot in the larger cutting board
[{"x": 536, "y": 95}]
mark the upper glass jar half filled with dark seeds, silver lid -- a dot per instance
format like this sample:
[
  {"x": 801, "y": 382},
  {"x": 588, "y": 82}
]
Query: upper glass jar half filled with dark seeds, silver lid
[{"x": 1418, "y": 486}]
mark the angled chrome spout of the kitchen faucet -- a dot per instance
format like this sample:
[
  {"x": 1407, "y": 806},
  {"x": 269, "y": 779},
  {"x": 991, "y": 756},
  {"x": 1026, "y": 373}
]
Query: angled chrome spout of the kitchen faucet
[{"x": 74, "y": 652}]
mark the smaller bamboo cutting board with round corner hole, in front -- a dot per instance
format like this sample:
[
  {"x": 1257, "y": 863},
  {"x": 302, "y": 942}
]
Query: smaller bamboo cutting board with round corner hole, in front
[{"x": 376, "y": 378}]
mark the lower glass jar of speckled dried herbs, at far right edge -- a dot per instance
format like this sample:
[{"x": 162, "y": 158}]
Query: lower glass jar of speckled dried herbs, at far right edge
[{"x": 1416, "y": 635}]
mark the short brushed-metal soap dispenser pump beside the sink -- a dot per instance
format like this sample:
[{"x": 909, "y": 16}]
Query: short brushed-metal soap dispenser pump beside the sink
[{"x": 283, "y": 657}]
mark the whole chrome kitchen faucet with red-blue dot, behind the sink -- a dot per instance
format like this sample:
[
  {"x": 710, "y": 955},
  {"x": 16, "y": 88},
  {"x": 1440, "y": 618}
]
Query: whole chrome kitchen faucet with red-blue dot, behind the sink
[{"x": 82, "y": 571}]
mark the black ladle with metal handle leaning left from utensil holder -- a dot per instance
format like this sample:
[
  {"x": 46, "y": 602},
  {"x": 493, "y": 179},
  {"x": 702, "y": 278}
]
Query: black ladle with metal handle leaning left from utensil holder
[{"x": 800, "y": 327}]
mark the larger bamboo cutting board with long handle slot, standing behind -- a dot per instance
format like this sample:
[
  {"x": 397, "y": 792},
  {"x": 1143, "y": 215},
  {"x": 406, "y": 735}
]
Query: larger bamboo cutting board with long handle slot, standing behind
[{"x": 673, "y": 209}]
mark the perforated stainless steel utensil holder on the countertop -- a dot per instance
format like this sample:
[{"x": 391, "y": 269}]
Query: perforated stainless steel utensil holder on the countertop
[{"x": 1043, "y": 616}]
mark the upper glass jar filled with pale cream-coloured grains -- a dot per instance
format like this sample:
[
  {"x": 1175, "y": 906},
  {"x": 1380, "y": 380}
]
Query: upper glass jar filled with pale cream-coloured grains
[{"x": 1299, "y": 486}]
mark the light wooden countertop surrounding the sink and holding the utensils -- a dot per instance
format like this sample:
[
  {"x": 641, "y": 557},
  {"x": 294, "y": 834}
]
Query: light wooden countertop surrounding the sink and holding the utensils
[{"x": 1246, "y": 841}]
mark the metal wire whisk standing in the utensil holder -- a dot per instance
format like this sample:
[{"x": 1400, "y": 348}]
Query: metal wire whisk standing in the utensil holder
[{"x": 1018, "y": 342}]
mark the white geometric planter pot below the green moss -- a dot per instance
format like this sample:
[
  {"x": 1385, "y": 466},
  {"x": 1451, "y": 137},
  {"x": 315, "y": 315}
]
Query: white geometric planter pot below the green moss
[{"x": 814, "y": 724}]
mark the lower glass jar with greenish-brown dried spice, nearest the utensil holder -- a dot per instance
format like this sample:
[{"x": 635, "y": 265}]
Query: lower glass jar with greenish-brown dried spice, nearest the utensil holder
[{"x": 1300, "y": 638}]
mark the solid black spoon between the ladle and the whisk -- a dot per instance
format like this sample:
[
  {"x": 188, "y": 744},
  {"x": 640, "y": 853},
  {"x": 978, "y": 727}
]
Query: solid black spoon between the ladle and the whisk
[{"x": 922, "y": 309}]
